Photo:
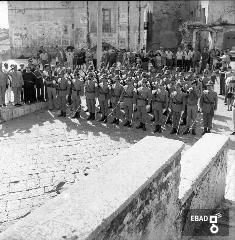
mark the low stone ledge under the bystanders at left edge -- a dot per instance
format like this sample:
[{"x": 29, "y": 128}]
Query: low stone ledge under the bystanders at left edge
[{"x": 11, "y": 112}]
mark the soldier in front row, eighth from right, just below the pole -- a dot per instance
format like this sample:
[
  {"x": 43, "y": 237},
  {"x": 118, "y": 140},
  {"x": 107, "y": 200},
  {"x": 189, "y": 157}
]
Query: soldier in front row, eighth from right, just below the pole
[{"x": 103, "y": 91}]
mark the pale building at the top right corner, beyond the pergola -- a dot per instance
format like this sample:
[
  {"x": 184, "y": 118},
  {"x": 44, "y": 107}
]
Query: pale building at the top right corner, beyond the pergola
[{"x": 221, "y": 14}]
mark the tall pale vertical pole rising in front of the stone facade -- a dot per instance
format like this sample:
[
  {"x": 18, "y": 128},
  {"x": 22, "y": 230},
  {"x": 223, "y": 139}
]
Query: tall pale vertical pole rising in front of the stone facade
[{"x": 99, "y": 33}]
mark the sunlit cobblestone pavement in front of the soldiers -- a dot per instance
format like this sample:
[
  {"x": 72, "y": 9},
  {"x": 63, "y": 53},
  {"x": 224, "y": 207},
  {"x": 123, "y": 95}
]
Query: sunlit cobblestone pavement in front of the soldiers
[{"x": 40, "y": 153}]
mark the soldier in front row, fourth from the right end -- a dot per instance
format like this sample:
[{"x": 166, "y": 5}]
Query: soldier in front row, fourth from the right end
[{"x": 159, "y": 101}]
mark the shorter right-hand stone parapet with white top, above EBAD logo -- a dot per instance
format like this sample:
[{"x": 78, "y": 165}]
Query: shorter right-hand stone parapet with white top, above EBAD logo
[{"x": 203, "y": 178}]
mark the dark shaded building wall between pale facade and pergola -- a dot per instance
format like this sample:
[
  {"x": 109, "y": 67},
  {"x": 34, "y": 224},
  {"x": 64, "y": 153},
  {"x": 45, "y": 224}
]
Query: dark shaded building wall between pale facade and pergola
[{"x": 167, "y": 16}]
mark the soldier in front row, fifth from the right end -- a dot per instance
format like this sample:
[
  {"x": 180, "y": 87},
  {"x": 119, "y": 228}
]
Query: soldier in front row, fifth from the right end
[{"x": 141, "y": 97}]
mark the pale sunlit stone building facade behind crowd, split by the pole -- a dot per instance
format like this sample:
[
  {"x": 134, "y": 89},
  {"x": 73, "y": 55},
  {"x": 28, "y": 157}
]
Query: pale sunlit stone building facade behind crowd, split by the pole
[{"x": 63, "y": 23}]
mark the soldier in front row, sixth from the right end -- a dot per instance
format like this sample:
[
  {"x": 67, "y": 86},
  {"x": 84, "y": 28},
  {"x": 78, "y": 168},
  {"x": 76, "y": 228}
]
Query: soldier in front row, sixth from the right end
[{"x": 127, "y": 97}]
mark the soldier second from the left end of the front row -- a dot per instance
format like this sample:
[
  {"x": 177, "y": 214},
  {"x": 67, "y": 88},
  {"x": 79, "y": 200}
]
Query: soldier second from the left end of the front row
[{"x": 63, "y": 86}]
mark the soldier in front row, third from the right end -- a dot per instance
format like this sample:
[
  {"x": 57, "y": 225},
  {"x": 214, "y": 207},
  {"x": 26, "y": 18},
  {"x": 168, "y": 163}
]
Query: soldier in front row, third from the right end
[{"x": 177, "y": 104}]
